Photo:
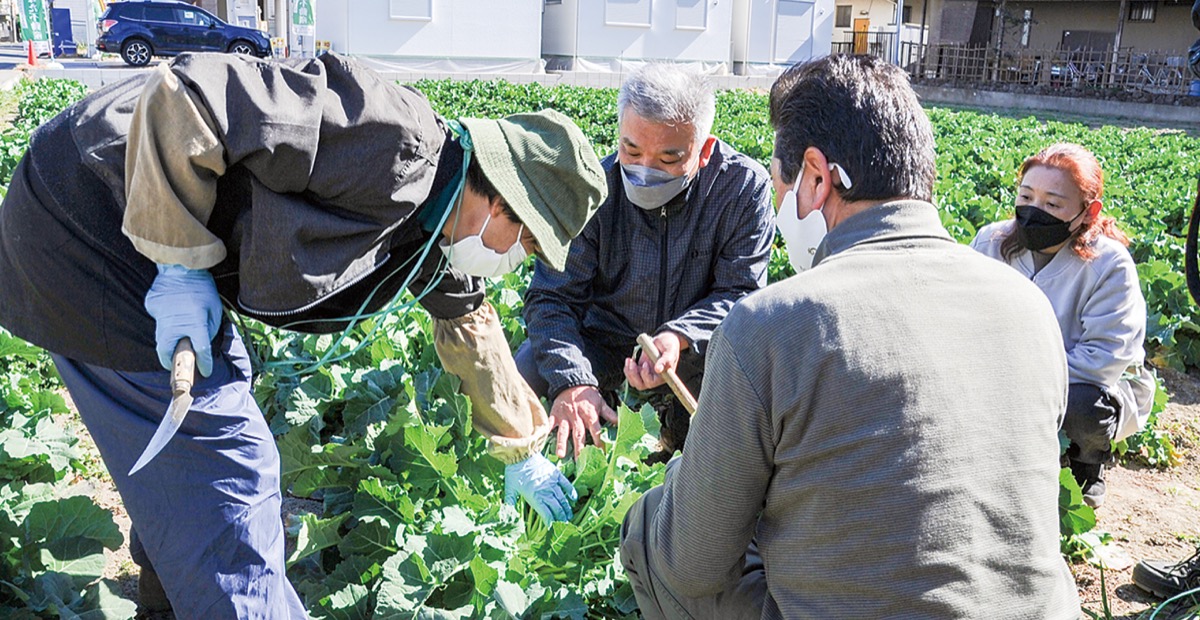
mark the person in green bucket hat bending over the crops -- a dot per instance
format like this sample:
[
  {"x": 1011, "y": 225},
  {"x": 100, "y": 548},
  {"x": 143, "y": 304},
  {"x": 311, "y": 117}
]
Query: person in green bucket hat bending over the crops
[{"x": 299, "y": 194}]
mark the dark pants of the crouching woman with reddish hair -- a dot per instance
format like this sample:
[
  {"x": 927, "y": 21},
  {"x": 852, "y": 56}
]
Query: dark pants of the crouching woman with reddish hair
[{"x": 1091, "y": 424}]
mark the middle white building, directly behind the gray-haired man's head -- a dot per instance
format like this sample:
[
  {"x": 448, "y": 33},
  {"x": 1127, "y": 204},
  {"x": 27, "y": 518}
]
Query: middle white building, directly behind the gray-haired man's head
[{"x": 614, "y": 35}]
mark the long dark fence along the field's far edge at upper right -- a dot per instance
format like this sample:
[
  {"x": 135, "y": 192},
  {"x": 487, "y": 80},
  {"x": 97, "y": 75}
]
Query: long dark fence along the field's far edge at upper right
[{"x": 1130, "y": 70}]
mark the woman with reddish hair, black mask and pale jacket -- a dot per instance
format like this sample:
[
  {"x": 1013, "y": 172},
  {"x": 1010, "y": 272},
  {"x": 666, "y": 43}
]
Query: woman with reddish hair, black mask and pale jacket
[{"x": 1079, "y": 258}]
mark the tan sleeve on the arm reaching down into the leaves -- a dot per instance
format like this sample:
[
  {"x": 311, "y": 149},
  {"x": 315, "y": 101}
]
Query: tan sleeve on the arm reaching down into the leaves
[{"x": 505, "y": 408}]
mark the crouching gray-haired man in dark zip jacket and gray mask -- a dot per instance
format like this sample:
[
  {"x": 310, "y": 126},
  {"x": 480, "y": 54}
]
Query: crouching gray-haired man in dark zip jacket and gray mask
[{"x": 685, "y": 234}]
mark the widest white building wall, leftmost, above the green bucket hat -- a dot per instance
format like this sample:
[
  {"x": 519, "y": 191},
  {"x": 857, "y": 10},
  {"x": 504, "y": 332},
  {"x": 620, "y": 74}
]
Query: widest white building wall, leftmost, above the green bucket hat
[{"x": 434, "y": 29}]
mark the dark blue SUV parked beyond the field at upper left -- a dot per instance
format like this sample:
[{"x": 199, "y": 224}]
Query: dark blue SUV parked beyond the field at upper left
[{"x": 141, "y": 31}]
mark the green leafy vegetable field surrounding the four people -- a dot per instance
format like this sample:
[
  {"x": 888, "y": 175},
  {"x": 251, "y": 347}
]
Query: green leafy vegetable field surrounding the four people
[{"x": 412, "y": 521}]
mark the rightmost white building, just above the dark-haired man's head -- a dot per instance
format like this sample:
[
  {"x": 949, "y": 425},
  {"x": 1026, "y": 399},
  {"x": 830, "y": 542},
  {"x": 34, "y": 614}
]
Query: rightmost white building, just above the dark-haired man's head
[{"x": 772, "y": 35}]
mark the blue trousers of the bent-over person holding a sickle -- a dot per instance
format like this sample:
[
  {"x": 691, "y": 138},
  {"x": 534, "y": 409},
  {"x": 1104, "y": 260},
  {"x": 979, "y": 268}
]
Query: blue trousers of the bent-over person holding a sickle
[{"x": 207, "y": 509}]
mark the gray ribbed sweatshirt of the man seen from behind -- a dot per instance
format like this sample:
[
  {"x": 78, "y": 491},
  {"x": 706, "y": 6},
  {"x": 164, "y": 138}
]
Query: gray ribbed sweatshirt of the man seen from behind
[{"x": 885, "y": 426}]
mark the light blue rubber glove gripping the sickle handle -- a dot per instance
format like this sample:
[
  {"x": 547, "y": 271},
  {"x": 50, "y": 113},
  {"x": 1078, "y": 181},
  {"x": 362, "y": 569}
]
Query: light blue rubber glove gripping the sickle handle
[{"x": 184, "y": 303}]
